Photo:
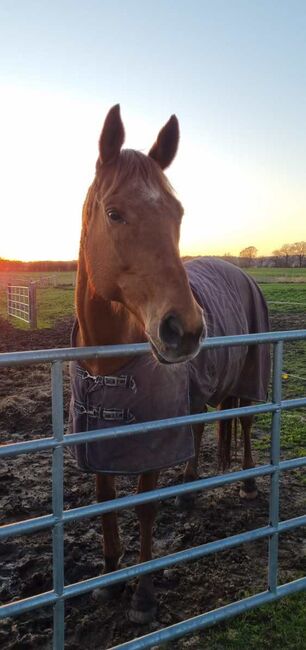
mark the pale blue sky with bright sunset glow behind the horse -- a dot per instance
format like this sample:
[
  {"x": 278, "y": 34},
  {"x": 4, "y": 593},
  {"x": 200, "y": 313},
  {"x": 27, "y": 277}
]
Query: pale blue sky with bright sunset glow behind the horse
[{"x": 234, "y": 73}]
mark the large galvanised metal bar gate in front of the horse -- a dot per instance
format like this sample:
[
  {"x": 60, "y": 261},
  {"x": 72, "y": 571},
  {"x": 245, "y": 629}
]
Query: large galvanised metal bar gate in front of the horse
[{"x": 57, "y": 520}]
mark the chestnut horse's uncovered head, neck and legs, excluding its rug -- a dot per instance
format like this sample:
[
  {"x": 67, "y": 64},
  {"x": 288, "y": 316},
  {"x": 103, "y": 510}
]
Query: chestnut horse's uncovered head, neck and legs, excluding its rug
[{"x": 133, "y": 287}]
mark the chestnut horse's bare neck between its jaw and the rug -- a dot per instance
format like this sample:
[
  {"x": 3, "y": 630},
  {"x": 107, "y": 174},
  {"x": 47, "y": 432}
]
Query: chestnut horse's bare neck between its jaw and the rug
[{"x": 103, "y": 322}]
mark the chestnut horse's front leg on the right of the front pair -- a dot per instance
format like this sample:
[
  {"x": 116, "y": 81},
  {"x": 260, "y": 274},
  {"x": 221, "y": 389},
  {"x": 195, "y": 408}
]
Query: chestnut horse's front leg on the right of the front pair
[{"x": 143, "y": 605}]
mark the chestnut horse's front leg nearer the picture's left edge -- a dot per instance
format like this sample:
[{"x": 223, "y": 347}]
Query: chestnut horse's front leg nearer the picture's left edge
[{"x": 106, "y": 490}]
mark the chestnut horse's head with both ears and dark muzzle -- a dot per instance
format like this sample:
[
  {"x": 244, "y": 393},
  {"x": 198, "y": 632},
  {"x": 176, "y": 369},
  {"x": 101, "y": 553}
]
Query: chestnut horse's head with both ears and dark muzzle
[{"x": 131, "y": 240}]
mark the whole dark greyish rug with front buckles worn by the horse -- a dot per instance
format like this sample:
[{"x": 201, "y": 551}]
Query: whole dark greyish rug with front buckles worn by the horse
[{"x": 144, "y": 390}]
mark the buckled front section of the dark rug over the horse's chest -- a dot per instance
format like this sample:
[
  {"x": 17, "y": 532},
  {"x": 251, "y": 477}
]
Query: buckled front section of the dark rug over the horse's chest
[{"x": 142, "y": 392}]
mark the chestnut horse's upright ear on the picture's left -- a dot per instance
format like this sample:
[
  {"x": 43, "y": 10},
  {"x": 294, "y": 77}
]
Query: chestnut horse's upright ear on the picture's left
[{"x": 112, "y": 136}]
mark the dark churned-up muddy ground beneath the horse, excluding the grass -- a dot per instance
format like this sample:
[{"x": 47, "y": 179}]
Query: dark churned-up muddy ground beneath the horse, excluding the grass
[{"x": 183, "y": 591}]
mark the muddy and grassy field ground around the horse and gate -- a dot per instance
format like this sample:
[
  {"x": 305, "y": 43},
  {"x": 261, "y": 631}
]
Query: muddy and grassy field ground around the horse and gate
[{"x": 185, "y": 590}]
